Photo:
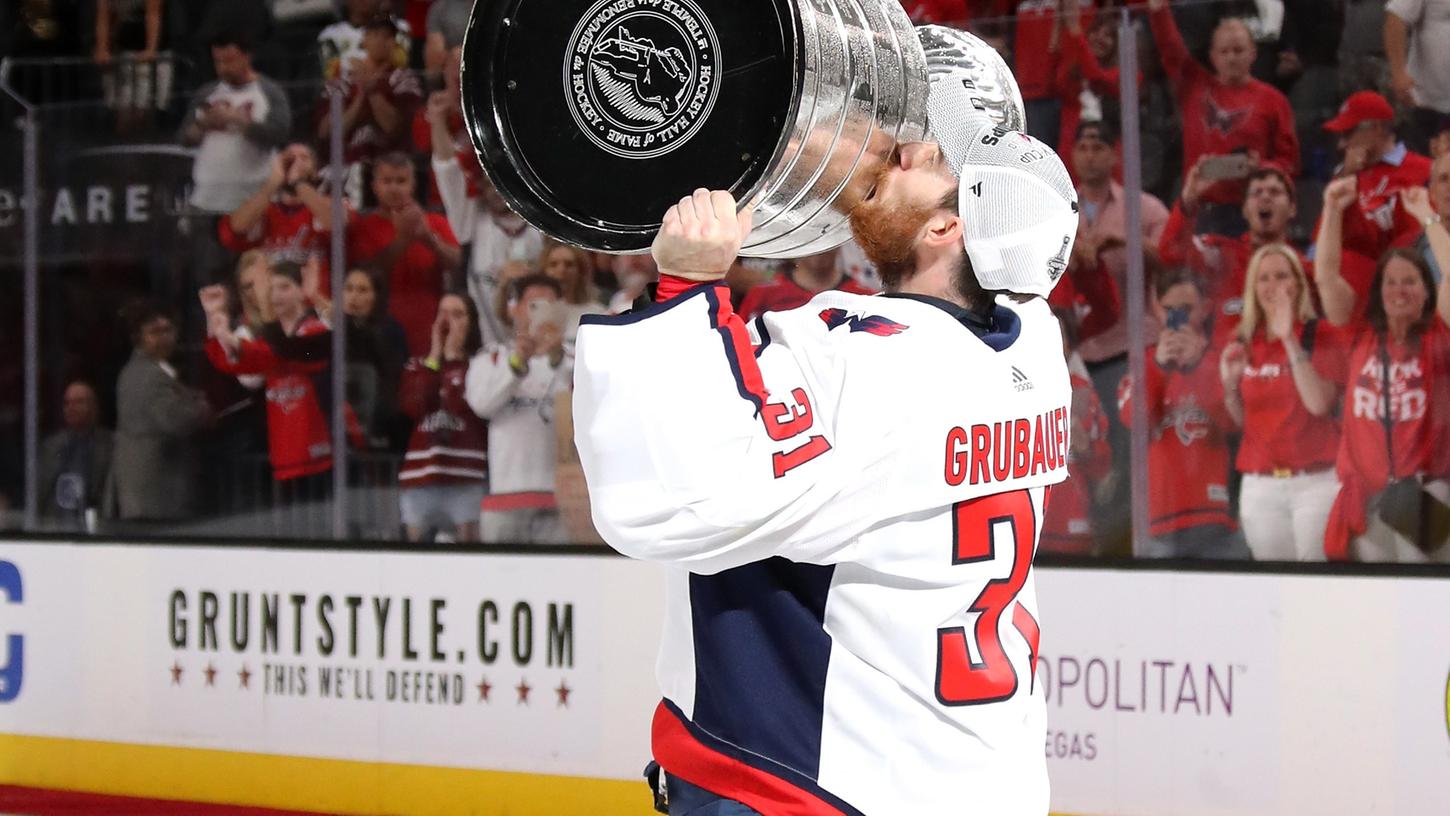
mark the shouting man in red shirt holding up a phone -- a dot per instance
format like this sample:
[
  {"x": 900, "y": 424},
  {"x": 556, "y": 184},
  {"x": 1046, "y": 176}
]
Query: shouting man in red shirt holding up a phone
[{"x": 1220, "y": 262}]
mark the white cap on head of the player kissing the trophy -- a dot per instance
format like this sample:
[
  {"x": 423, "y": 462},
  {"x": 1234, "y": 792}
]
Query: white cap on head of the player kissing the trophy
[{"x": 1019, "y": 211}]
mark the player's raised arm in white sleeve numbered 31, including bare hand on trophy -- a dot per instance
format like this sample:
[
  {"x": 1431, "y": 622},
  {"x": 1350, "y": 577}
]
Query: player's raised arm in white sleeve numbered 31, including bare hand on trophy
[{"x": 695, "y": 451}]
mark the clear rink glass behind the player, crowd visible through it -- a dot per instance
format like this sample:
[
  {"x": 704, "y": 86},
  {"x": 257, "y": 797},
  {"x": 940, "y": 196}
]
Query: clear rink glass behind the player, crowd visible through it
[{"x": 1227, "y": 372}]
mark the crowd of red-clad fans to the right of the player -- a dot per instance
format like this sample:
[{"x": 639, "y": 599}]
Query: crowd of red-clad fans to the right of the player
[{"x": 1296, "y": 391}]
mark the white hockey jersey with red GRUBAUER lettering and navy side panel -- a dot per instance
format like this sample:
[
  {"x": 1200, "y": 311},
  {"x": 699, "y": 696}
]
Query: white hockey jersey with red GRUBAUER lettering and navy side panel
[{"x": 849, "y": 498}]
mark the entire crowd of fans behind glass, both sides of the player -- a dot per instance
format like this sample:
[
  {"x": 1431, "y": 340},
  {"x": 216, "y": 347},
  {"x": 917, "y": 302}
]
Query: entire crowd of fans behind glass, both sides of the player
[{"x": 1296, "y": 159}]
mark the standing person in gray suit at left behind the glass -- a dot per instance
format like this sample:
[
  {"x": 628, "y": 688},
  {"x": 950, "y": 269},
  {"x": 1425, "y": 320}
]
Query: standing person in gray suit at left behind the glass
[{"x": 154, "y": 470}]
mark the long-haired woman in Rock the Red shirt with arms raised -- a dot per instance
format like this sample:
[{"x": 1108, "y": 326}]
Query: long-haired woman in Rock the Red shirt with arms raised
[{"x": 1401, "y": 436}]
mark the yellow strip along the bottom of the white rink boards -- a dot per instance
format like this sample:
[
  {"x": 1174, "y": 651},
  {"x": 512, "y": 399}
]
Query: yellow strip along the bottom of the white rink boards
[{"x": 302, "y": 783}]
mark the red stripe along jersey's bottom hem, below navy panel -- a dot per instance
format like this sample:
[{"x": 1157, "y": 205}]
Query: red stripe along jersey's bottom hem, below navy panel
[{"x": 679, "y": 753}]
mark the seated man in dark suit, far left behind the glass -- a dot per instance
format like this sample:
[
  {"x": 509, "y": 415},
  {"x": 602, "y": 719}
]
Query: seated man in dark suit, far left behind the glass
[{"x": 76, "y": 460}]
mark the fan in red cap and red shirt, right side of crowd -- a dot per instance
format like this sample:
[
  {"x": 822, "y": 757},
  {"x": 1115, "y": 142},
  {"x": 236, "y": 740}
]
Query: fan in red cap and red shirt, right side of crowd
[{"x": 1383, "y": 167}]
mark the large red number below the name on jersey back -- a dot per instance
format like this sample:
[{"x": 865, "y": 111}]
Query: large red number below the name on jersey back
[{"x": 979, "y": 528}]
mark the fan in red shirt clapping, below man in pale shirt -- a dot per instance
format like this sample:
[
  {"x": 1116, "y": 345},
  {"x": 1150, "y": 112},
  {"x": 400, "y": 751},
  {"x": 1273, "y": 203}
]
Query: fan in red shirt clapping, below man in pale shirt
[{"x": 289, "y": 218}]
